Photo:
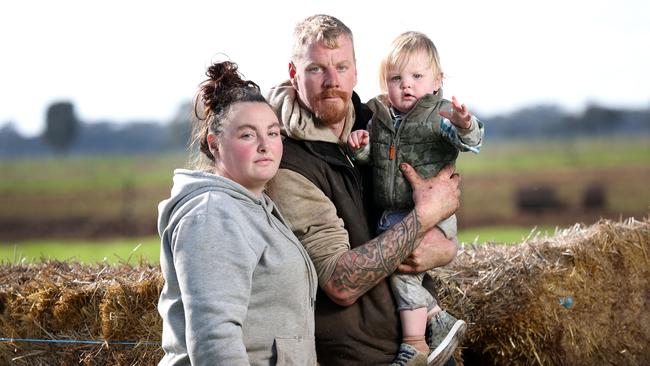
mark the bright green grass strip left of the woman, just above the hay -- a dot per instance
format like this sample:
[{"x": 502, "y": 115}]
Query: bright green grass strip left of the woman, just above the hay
[{"x": 114, "y": 251}]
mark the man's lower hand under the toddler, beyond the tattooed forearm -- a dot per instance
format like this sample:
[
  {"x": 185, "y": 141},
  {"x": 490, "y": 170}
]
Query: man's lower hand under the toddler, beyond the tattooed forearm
[{"x": 435, "y": 250}]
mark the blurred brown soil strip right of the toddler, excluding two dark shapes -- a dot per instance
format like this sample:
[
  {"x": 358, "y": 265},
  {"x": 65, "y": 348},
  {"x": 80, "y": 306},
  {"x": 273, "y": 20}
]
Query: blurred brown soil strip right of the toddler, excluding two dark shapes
[{"x": 491, "y": 200}]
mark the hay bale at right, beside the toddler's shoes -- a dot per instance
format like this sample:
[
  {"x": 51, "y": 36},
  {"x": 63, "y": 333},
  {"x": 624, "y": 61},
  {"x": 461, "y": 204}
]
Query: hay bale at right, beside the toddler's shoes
[{"x": 580, "y": 297}]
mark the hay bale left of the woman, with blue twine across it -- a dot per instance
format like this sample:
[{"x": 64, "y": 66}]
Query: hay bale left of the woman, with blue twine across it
[{"x": 75, "y": 303}]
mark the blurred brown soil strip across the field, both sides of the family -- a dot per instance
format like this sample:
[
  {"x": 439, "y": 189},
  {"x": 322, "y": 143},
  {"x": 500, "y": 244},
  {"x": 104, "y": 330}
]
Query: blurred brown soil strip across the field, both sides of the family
[{"x": 487, "y": 200}]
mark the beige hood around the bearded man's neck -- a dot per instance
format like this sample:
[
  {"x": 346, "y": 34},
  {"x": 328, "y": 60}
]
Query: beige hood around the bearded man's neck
[{"x": 300, "y": 123}]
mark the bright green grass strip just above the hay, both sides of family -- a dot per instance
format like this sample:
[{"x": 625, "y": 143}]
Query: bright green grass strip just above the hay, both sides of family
[{"x": 130, "y": 251}]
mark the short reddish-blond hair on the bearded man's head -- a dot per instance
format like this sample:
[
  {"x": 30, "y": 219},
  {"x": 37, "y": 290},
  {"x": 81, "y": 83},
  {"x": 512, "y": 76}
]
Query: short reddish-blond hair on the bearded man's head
[{"x": 319, "y": 28}]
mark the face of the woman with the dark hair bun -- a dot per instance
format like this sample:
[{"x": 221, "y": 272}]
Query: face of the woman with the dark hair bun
[{"x": 249, "y": 149}]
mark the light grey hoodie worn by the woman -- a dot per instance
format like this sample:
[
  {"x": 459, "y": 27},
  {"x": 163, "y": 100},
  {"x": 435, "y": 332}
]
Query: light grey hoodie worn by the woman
[{"x": 239, "y": 287}]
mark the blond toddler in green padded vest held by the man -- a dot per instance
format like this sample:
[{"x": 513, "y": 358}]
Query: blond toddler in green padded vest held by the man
[{"x": 412, "y": 123}]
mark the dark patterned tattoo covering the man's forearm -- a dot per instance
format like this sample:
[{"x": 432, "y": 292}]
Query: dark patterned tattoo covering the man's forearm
[{"x": 361, "y": 268}]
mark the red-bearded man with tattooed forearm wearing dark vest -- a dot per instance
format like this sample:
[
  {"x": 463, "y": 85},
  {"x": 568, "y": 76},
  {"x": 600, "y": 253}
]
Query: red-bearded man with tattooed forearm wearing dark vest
[{"x": 320, "y": 193}]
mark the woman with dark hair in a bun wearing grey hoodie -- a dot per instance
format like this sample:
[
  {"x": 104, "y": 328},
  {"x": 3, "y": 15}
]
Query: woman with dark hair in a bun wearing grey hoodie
[{"x": 239, "y": 287}]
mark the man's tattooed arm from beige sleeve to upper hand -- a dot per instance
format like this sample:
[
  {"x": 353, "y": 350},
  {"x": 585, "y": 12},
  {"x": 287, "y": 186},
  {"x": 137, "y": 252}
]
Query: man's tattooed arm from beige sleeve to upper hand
[{"x": 345, "y": 274}]
